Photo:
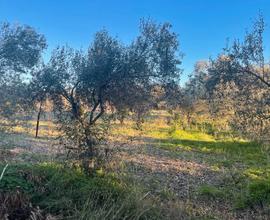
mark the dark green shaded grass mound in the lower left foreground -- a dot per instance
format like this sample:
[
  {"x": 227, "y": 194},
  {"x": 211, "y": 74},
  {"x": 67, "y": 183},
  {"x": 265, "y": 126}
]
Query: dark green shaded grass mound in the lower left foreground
[{"x": 69, "y": 193}]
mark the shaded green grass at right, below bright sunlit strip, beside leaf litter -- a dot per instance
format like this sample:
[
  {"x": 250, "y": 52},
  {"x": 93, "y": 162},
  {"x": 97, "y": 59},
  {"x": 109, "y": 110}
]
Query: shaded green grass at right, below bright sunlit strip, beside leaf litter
[{"x": 247, "y": 165}]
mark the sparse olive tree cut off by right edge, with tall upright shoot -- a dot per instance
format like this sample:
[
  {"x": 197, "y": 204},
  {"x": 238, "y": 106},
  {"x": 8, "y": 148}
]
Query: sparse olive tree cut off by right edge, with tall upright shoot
[{"x": 239, "y": 81}]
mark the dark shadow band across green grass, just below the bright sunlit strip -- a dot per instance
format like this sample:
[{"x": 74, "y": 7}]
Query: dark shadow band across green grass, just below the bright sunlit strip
[{"x": 225, "y": 153}]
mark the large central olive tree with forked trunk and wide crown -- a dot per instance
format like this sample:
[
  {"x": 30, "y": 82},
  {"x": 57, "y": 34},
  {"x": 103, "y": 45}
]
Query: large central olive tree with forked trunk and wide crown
[{"x": 86, "y": 87}]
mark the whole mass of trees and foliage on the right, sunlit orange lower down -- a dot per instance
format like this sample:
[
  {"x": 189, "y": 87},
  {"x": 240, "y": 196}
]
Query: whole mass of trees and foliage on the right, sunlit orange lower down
[{"x": 231, "y": 92}]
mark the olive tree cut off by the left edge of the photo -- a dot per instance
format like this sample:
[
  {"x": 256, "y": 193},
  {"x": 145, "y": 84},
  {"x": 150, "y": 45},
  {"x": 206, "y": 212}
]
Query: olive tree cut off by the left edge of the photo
[{"x": 20, "y": 51}]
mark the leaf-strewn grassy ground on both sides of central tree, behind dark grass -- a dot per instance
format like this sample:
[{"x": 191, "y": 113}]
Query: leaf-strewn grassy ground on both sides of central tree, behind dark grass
[{"x": 191, "y": 173}]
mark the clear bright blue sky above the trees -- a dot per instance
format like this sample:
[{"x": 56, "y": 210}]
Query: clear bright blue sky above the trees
[{"x": 203, "y": 26}]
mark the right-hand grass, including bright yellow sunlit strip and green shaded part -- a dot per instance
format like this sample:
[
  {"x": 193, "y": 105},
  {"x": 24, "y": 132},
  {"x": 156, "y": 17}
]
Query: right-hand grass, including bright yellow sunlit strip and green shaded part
[{"x": 243, "y": 166}]
